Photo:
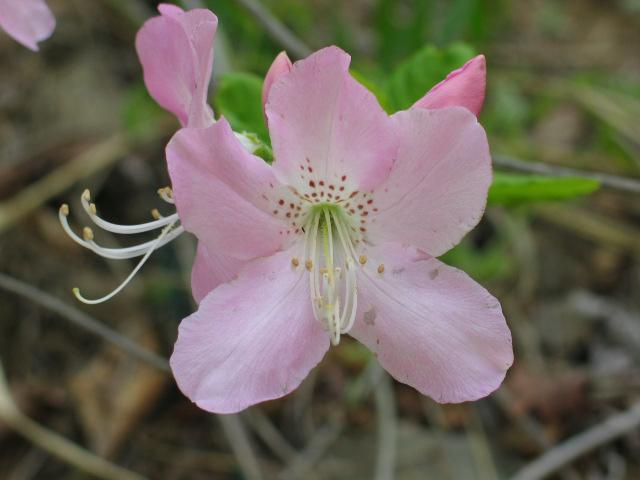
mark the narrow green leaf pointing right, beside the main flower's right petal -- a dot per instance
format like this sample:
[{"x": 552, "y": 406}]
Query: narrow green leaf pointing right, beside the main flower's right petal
[{"x": 513, "y": 189}]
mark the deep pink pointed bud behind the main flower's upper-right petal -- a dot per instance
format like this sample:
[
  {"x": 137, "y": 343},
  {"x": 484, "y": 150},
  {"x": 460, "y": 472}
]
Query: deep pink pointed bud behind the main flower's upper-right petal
[{"x": 464, "y": 87}]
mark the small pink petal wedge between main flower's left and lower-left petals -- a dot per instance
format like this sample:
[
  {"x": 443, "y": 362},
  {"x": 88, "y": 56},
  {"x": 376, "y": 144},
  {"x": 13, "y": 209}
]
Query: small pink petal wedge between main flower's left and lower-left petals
[{"x": 210, "y": 270}]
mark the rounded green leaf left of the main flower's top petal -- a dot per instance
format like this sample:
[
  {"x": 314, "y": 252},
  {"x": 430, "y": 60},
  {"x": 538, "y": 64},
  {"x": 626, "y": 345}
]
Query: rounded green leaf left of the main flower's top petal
[{"x": 239, "y": 99}]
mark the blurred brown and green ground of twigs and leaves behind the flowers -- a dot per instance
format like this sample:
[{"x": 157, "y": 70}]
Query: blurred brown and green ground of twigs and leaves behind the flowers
[{"x": 561, "y": 254}]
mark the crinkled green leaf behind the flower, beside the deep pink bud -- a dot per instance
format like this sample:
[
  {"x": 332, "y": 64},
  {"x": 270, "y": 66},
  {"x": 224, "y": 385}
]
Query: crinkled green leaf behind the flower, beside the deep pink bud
[{"x": 415, "y": 77}]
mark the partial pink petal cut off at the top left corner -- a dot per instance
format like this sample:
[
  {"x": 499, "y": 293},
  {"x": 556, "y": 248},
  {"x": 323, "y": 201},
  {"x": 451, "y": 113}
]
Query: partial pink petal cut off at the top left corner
[{"x": 27, "y": 21}]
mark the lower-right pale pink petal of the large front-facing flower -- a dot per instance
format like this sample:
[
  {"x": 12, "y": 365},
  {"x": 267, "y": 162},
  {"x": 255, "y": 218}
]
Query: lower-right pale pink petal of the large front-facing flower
[{"x": 431, "y": 326}]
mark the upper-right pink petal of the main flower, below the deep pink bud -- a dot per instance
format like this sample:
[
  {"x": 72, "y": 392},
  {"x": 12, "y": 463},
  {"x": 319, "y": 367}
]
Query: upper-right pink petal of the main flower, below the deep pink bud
[{"x": 437, "y": 190}]
